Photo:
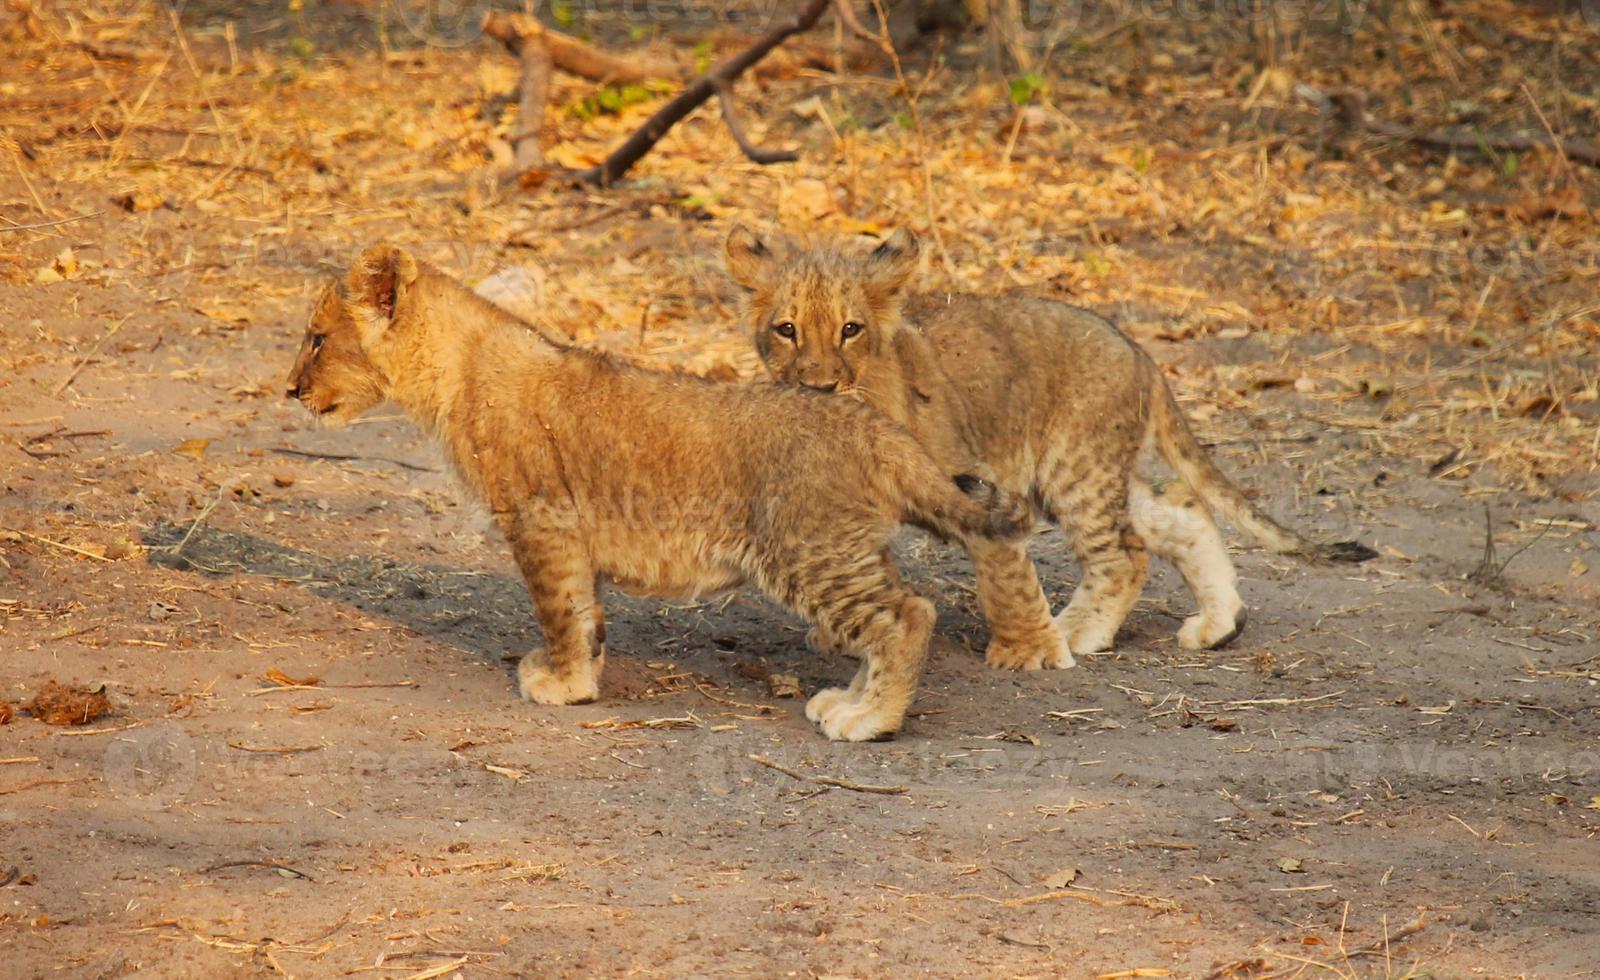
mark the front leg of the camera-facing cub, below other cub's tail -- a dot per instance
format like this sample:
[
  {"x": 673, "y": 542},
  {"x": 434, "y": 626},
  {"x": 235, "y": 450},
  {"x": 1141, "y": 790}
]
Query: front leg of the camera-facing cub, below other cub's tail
[{"x": 1022, "y": 633}]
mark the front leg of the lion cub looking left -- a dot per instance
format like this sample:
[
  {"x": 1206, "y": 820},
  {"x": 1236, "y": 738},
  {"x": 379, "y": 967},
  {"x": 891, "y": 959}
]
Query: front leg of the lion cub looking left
[{"x": 562, "y": 584}]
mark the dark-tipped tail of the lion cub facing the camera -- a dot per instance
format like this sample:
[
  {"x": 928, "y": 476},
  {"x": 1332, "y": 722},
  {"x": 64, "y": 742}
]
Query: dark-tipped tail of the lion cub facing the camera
[{"x": 1196, "y": 468}]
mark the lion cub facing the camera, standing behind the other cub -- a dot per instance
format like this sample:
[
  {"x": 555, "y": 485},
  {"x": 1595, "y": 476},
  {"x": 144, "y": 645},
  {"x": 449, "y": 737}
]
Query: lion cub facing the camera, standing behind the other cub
[{"x": 1052, "y": 403}]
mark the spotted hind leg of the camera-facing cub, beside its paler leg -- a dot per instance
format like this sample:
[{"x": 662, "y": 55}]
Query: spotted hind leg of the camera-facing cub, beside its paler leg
[{"x": 1094, "y": 512}]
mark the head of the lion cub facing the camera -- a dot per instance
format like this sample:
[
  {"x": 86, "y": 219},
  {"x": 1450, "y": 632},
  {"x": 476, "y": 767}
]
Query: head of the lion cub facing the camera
[{"x": 823, "y": 318}]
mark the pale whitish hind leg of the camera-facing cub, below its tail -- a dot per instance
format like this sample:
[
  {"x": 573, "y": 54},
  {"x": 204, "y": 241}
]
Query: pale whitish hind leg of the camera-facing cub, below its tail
[{"x": 1177, "y": 526}]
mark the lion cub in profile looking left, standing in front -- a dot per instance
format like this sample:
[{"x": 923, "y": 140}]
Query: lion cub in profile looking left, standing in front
[{"x": 665, "y": 484}]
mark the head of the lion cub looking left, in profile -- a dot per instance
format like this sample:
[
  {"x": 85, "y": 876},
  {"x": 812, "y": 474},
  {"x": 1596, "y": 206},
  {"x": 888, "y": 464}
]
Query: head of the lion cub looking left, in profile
[{"x": 338, "y": 372}]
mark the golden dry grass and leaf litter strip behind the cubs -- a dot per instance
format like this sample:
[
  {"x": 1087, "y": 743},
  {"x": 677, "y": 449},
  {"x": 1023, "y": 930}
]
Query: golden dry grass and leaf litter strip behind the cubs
[{"x": 1406, "y": 300}]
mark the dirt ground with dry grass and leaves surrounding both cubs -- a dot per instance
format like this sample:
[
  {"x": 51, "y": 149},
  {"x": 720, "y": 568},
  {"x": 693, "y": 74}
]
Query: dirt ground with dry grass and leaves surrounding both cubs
[{"x": 316, "y": 761}]
